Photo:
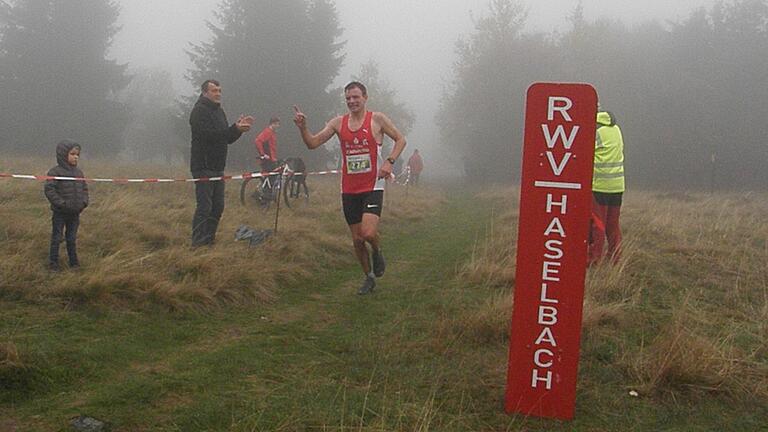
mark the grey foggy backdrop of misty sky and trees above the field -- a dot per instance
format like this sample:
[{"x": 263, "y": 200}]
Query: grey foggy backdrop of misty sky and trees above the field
[{"x": 686, "y": 79}]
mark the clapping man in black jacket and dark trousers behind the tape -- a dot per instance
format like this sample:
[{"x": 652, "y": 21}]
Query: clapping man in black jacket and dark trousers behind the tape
[{"x": 211, "y": 134}]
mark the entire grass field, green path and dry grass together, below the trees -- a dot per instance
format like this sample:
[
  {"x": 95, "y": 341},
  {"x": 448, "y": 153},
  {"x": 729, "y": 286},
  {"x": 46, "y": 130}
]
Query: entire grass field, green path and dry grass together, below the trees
[{"x": 151, "y": 335}]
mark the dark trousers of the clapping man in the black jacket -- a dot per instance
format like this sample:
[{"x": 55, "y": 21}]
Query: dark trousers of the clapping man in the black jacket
[{"x": 210, "y": 206}]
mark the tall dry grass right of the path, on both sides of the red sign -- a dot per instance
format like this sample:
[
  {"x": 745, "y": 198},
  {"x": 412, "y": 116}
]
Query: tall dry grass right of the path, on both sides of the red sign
[{"x": 687, "y": 305}]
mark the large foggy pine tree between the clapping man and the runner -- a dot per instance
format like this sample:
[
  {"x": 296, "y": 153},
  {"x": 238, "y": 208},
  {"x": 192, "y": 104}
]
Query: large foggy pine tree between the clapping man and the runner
[{"x": 268, "y": 56}]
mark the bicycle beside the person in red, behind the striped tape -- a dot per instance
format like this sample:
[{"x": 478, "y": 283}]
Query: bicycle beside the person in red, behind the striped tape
[{"x": 289, "y": 177}]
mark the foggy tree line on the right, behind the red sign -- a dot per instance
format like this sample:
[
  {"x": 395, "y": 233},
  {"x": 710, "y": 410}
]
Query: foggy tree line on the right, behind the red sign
[{"x": 690, "y": 96}]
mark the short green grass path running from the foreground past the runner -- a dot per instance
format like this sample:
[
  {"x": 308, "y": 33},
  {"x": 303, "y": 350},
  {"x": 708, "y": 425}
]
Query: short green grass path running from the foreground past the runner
[{"x": 423, "y": 353}]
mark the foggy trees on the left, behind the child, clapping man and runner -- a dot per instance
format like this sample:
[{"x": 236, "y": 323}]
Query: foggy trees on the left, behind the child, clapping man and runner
[{"x": 58, "y": 81}]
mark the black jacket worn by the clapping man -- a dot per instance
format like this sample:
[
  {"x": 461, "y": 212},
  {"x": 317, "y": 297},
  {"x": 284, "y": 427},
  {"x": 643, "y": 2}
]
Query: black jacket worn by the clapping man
[{"x": 210, "y": 136}]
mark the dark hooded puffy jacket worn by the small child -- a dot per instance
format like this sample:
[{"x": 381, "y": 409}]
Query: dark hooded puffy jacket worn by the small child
[{"x": 66, "y": 196}]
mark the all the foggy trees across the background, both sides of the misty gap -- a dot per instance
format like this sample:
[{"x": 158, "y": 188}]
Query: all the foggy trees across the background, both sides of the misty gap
[{"x": 690, "y": 95}]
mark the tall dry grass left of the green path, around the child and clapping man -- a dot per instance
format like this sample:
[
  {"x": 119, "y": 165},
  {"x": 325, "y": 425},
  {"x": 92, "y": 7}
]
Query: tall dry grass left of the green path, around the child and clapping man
[{"x": 134, "y": 241}]
